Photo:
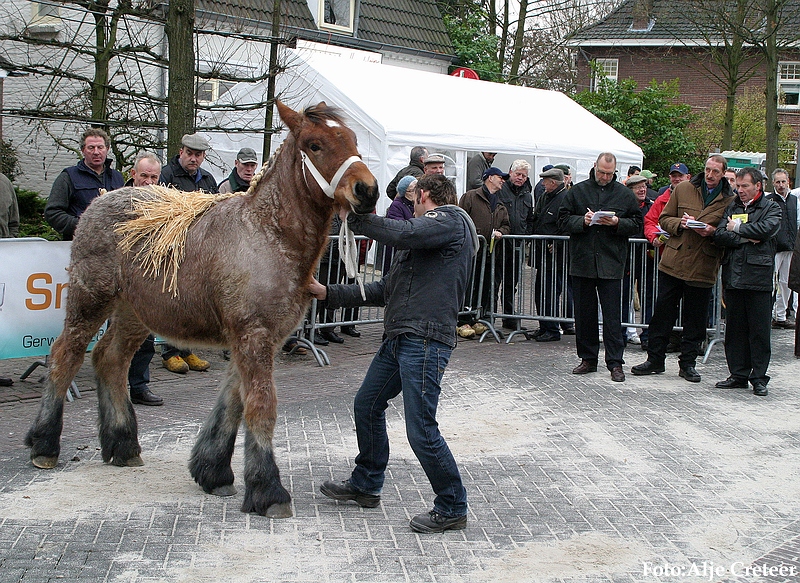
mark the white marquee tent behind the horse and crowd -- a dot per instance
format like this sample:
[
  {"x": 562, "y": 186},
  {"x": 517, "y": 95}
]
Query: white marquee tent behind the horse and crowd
[{"x": 391, "y": 109}]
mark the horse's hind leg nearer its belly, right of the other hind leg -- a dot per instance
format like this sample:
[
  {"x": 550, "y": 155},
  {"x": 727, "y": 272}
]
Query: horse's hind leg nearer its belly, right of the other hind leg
[{"x": 119, "y": 443}]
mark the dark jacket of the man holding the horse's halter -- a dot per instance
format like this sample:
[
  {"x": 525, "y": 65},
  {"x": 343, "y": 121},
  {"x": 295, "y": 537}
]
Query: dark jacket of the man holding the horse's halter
[{"x": 426, "y": 284}]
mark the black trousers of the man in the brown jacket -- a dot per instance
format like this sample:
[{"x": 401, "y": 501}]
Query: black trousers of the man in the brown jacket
[{"x": 695, "y": 314}]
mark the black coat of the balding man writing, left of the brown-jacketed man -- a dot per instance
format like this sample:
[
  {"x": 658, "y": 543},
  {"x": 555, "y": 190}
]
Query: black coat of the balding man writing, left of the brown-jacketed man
[{"x": 599, "y": 251}]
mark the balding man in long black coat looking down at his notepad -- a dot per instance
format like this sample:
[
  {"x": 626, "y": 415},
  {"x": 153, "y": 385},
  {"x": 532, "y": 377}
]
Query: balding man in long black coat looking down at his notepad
[{"x": 598, "y": 250}]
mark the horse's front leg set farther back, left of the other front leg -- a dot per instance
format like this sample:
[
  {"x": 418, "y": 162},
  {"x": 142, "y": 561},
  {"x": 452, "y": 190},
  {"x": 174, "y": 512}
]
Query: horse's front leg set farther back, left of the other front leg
[{"x": 210, "y": 463}]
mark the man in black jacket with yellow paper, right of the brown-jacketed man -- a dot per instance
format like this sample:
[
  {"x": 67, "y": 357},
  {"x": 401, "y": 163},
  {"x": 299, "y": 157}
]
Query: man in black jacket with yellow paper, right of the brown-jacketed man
[{"x": 747, "y": 232}]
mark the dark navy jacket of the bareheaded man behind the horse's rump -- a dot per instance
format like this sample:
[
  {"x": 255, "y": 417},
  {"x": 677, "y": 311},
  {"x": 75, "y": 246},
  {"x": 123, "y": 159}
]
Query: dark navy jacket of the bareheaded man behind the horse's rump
[{"x": 73, "y": 190}]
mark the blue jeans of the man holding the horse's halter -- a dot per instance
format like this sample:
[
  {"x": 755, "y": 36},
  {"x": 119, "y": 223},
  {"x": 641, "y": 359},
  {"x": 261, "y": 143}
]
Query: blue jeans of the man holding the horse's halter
[{"x": 413, "y": 365}]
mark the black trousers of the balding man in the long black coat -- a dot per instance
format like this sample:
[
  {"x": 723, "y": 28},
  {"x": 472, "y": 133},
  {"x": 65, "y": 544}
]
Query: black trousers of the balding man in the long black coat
[{"x": 587, "y": 332}]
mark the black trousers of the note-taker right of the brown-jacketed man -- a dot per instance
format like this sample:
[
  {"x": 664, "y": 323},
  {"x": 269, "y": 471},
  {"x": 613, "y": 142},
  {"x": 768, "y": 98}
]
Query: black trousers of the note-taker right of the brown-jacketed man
[{"x": 747, "y": 334}]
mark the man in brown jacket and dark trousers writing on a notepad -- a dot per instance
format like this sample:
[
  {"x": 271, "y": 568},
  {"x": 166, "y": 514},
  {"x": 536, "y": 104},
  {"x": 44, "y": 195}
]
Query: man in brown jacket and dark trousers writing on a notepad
[{"x": 688, "y": 267}]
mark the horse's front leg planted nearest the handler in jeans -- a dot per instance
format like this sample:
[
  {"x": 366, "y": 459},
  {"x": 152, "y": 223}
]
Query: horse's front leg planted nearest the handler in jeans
[{"x": 264, "y": 493}]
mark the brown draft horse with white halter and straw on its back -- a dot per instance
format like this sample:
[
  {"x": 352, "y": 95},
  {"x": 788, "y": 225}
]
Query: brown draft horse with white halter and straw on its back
[{"x": 241, "y": 284}]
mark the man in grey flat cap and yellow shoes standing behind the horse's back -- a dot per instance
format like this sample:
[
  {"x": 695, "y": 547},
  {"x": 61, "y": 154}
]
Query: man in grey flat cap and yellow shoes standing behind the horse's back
[{"x": 184, "y": 173}]
